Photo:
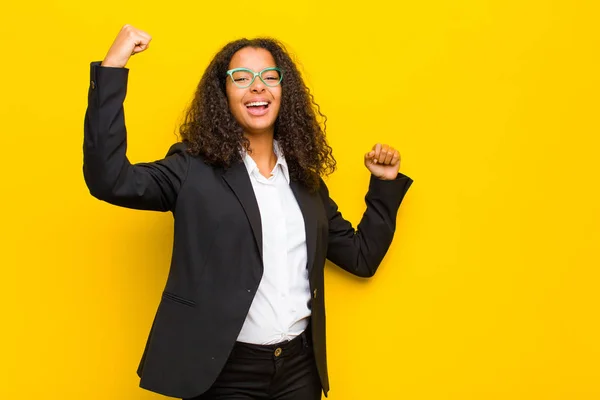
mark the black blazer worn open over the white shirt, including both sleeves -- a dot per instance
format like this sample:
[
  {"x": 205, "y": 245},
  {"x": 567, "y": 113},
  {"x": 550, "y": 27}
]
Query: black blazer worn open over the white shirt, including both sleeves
[{"x": 217, "y": 250}]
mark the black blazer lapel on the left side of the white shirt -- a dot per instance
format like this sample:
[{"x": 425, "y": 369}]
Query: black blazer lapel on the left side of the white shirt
[{"x": 238, "y": 180}]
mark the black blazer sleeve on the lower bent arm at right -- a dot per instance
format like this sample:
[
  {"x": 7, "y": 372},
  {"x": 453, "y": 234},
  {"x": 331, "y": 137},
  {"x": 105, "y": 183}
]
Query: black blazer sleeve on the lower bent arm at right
[{"x": 361, "y": 251}]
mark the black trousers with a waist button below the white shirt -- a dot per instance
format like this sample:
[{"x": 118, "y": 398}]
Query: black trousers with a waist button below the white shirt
[{"x": 283, "y": 371}]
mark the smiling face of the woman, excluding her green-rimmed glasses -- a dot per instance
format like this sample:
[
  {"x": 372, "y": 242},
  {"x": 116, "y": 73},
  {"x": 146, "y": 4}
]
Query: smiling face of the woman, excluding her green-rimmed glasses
[{"x": 248, "y": 104}]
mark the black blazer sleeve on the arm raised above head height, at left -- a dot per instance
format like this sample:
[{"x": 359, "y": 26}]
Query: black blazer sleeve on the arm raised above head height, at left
[{"x": 107, "y": 172}]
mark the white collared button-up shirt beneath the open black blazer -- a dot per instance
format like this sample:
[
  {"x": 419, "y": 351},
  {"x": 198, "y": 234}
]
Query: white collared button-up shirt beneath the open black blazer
[{"x": 279, "y": 311}]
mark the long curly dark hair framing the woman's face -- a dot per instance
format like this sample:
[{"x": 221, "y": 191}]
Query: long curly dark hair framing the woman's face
[{"x": 210, "y": 130}]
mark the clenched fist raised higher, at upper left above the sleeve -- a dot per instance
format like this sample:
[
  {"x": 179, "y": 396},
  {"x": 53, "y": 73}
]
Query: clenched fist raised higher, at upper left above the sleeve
[{"x": 129, "y": 41}]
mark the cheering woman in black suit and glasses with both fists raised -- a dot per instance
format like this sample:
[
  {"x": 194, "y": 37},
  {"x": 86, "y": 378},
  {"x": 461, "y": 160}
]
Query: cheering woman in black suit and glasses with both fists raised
[{"x": 242, "y": 315}]
